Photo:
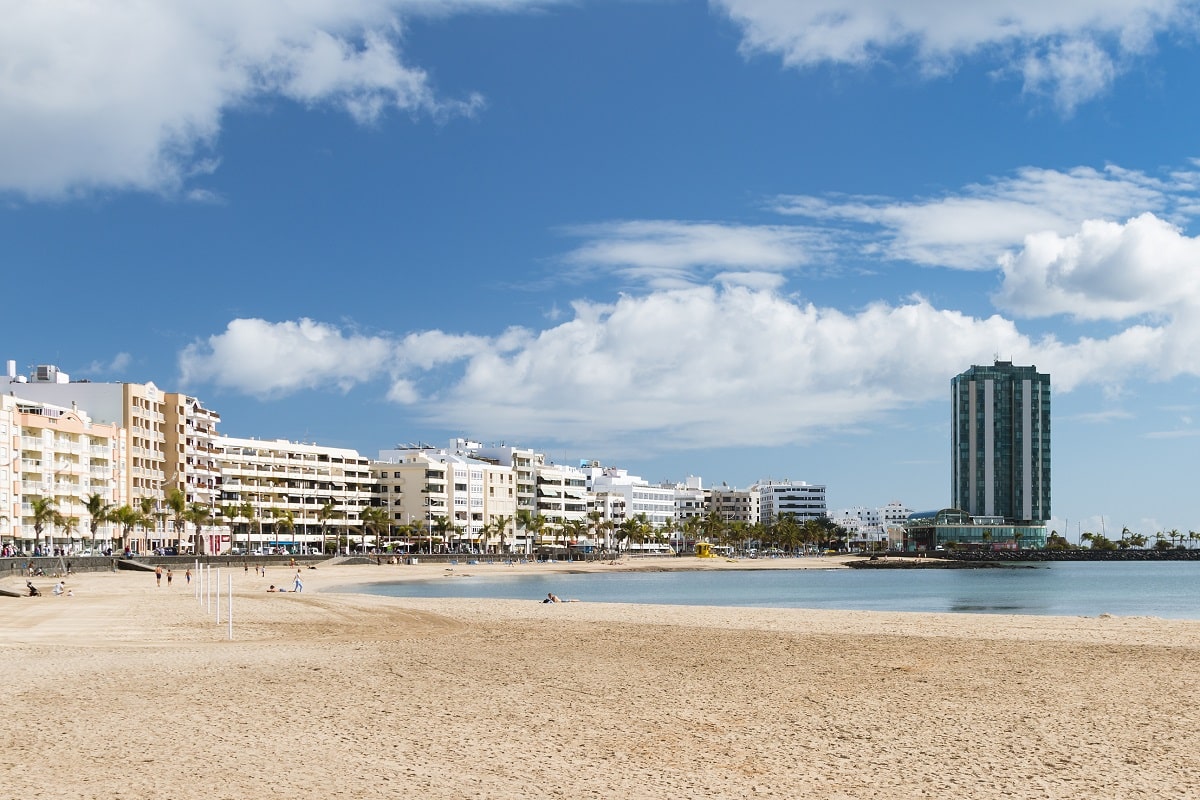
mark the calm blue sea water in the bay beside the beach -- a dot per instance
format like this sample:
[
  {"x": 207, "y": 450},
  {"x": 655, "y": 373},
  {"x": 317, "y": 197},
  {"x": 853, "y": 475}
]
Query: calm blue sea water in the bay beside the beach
[{"x": 1167, "y": 590}]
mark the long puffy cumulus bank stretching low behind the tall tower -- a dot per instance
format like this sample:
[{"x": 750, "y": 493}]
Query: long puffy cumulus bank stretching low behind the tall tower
[{"x": 679, "y": 369}]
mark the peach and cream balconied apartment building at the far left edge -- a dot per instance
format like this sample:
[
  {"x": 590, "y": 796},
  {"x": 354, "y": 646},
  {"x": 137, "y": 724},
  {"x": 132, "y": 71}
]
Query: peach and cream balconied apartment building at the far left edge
[{"x": 51, "y": 453}]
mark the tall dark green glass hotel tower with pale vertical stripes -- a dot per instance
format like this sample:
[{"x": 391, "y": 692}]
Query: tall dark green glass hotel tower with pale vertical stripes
[{"x": 1001, "y": 442}]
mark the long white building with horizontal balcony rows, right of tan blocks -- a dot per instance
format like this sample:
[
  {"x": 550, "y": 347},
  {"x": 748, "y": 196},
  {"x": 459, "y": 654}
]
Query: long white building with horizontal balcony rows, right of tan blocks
[{"x": 285, "y": 495}]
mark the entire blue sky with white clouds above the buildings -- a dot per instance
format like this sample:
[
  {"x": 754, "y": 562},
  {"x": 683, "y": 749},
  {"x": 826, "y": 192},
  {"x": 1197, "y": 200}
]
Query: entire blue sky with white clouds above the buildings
[{"x": 743, "y": 239}]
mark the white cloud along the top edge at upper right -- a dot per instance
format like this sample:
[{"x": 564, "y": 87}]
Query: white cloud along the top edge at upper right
[{"x": 1071, "y": 49}]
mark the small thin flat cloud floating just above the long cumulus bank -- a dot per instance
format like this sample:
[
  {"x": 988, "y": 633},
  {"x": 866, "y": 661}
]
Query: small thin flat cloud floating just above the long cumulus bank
[{"x": 669, "y": 254}]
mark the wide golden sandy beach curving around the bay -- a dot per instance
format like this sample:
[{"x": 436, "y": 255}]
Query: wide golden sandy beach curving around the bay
[{"x": 130, "y": 690}]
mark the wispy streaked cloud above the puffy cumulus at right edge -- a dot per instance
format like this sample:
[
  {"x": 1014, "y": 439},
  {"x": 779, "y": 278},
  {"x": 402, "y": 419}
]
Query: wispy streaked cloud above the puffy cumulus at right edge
[{"x": 974, "y": 227}]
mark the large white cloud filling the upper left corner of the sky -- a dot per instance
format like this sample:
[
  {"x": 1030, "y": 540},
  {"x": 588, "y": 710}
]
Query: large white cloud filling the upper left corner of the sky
[{"x": 130, "y": 94}]
